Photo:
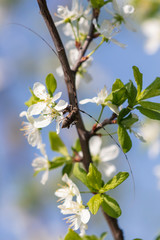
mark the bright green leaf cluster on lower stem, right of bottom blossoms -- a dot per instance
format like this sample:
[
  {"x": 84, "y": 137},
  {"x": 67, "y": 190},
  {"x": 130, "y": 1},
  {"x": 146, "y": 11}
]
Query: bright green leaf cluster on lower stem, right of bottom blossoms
[{"x": 93, "y": 180}]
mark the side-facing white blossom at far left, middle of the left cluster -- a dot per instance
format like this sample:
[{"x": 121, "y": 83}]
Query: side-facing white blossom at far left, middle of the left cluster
[{"x": 32, "y": 133}]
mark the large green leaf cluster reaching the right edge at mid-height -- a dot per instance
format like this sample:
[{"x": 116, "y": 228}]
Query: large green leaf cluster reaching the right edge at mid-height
[{"x": 136, "y": 99}]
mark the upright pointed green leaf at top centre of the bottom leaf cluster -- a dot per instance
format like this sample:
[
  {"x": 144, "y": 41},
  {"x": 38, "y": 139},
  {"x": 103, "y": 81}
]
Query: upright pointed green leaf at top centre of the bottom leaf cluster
[{"x": 94, "y": 178}]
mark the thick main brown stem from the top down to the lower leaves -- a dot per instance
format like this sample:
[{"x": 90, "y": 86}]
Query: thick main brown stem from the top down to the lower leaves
[{"x": 69, "y": 77}]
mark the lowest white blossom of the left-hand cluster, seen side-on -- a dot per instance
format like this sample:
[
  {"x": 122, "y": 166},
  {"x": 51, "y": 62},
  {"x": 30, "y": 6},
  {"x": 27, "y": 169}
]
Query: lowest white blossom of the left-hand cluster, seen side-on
[{"x": 41, "y": 163}]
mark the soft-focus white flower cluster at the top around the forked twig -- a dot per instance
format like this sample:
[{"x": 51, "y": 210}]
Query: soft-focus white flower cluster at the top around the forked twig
[{"x": 76, "y": 26}]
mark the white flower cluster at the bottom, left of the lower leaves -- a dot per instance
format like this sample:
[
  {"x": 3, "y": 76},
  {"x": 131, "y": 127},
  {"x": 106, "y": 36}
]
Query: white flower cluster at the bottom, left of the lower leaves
[{"x": 79, "y": 215}]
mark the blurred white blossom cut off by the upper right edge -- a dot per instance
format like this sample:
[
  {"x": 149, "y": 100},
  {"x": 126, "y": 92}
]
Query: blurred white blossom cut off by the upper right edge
[{"x": 151, "y": 29}]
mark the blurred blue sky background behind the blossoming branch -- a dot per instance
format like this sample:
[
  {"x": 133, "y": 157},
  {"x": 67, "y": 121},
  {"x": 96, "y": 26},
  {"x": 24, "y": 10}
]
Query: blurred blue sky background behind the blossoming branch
[{"x": 29, "y": 210}]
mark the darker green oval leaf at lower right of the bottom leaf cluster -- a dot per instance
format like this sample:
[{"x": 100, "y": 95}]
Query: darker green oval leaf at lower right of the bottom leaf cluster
[{"x": 110, "y": 206}]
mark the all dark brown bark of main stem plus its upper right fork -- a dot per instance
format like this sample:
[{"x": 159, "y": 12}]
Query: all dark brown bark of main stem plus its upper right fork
[{"x": 69, "y": 76}]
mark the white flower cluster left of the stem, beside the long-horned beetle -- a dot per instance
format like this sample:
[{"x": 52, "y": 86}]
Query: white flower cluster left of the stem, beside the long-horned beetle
[{"x": 47, "y": 110}]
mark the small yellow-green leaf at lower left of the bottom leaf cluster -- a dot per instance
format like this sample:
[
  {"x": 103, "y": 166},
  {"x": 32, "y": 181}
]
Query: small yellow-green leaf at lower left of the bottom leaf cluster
[{"x": 95, "y": 203}]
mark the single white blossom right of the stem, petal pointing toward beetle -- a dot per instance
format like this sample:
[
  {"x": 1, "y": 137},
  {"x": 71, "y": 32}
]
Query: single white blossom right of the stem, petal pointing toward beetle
[{"x": 100, "y": 100}]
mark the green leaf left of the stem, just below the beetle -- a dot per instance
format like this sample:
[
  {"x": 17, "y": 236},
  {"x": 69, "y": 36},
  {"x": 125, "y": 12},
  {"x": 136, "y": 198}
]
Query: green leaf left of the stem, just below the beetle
[{"x": 56, "y": 144}]
